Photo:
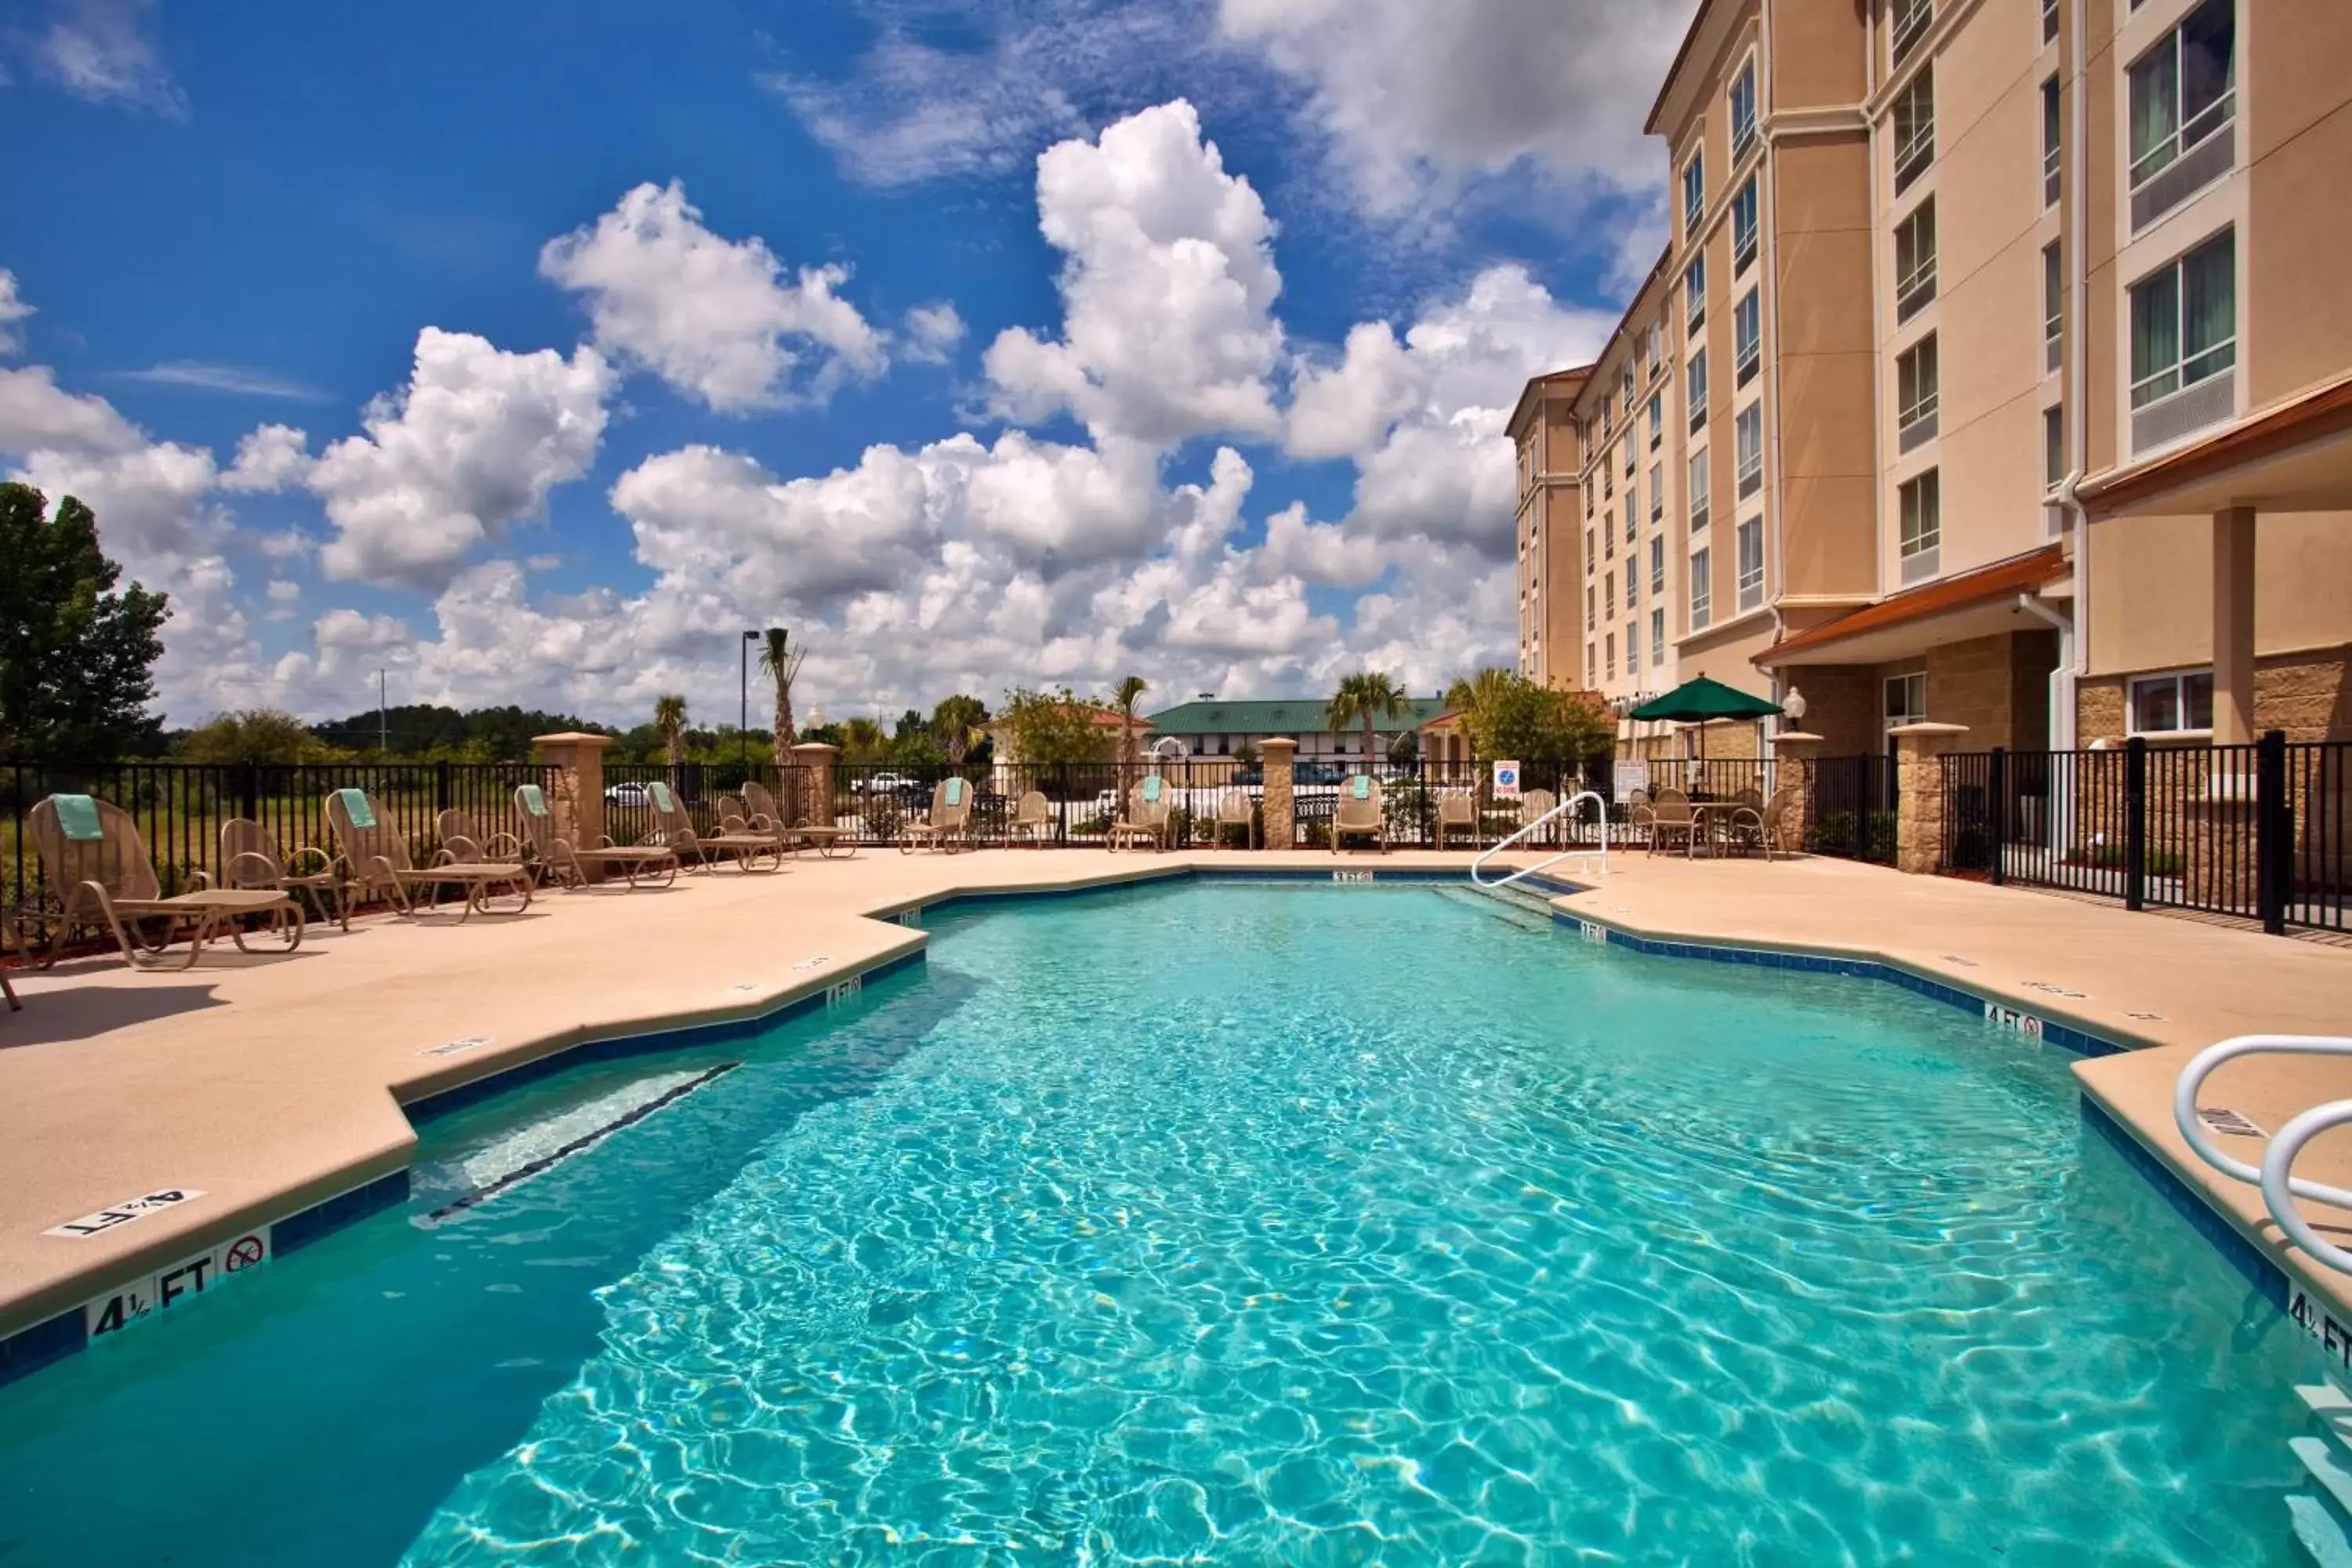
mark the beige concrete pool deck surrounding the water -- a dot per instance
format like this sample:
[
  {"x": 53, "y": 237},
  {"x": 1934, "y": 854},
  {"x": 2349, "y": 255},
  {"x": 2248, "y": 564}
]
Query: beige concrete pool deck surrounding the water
[{"x": 274, "y": 1083}]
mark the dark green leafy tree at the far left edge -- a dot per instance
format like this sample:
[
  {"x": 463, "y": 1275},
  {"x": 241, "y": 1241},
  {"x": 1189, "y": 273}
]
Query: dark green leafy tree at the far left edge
[{"x": 76, "y": 657}]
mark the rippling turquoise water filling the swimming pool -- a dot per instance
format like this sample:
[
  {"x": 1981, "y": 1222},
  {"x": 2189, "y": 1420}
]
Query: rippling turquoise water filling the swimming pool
[{"x": 1245, "y": 1226}]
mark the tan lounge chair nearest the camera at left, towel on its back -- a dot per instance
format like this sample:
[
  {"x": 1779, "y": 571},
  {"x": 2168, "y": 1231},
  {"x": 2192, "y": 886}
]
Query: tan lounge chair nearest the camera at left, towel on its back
[{"x": 102, "y": 876}]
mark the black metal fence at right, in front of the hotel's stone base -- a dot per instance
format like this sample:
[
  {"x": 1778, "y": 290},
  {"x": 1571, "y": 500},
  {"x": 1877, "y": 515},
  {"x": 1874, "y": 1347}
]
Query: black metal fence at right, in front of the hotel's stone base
[{"x": 2247, "y": 831}]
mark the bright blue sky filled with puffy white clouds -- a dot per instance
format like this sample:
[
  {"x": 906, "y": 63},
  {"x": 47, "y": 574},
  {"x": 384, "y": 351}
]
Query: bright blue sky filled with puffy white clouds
[{"x": 535, "y": 351}]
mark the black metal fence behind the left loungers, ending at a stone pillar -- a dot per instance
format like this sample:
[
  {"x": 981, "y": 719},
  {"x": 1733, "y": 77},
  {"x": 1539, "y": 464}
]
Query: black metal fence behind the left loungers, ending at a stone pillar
[{"x": 180, "y": 808}]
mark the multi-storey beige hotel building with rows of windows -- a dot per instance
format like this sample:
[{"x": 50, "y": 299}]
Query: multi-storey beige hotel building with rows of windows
[{"x": 1998, "y": 373}]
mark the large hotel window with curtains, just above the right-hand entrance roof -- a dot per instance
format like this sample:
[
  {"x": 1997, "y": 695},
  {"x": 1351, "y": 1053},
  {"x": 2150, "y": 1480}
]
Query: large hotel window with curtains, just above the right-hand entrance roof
[{"x": 2184, "y": 344}]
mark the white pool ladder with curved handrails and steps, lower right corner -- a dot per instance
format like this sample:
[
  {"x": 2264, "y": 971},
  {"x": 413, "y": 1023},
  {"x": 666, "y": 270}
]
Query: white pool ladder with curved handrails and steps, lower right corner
[{"x": 2323, "y": 1522}]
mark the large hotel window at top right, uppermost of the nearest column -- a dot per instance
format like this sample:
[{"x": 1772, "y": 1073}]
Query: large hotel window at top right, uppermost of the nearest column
[{"x": 2184, "y": 102}]
